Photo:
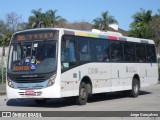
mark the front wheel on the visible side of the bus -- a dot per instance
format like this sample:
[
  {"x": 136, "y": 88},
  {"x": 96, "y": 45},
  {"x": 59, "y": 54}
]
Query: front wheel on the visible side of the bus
[{"x": 83, "y": 94}]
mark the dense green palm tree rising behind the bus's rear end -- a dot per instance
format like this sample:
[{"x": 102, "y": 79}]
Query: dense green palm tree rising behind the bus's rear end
[{"x": 140, "y": 25}]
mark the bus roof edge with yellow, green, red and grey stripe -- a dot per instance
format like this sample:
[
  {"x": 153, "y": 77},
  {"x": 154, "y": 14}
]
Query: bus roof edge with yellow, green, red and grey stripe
[{"x": 95, "y": 34}]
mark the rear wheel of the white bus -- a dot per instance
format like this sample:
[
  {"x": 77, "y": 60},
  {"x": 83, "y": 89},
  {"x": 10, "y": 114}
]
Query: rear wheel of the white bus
[{"x": 135, "y": 88}]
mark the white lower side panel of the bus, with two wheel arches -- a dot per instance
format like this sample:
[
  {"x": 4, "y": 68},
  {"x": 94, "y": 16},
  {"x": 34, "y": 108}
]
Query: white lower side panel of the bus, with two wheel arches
[{"x": 104, "y": 80}]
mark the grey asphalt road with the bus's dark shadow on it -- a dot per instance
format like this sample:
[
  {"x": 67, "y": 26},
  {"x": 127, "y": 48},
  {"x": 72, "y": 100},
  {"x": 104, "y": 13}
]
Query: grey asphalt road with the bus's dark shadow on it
[{"x": 148, "y": 100}]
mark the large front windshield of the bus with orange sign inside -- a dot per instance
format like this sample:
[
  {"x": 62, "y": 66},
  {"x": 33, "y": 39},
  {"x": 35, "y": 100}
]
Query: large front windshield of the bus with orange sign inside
[{"x": 33, "y": 57}]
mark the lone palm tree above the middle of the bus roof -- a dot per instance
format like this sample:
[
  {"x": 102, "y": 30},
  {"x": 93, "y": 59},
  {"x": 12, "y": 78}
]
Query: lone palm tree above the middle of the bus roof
[{"x": 104, "y": 21}]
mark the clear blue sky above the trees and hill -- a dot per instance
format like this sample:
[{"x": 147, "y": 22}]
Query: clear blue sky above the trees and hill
[{"x": 81, "y": 10}]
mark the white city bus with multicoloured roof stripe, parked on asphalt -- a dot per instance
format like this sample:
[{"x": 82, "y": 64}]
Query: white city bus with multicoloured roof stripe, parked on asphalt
[{"x": 56, "y": 63}]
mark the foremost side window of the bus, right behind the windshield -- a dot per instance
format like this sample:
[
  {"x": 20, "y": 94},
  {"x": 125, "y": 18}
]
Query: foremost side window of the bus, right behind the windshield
[{"x": 68, "y": 52}]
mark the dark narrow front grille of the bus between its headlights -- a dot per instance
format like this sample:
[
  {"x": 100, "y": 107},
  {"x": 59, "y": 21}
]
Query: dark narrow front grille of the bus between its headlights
[{"x": 30, "y": 80}]
